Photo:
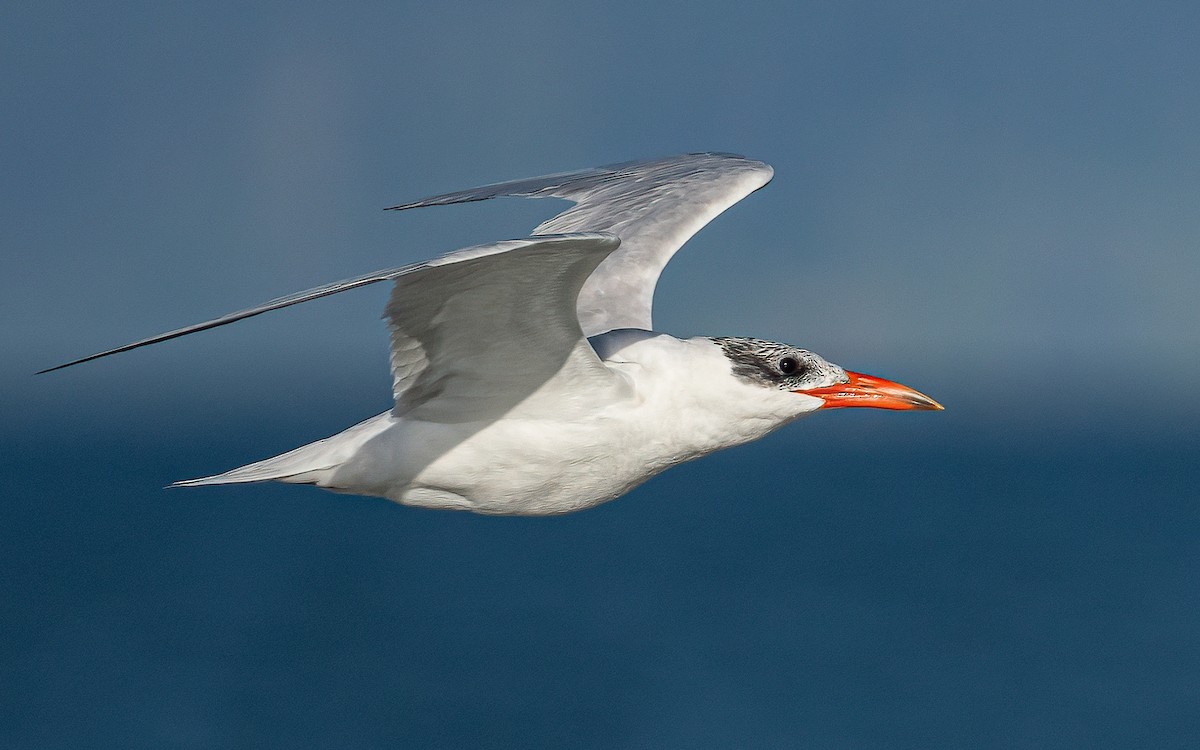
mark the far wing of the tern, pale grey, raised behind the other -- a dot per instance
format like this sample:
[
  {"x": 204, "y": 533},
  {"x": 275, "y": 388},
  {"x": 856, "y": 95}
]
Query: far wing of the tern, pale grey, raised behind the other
[{"x": 655, "y": 207}]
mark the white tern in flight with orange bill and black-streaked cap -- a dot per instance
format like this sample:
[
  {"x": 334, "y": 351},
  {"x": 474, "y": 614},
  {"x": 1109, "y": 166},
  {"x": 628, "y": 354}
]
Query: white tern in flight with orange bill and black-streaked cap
[{"x": 527, "y": 376}]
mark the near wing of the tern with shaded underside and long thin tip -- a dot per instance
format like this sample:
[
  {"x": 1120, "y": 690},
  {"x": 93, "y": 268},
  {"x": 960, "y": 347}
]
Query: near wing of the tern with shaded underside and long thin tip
[{"x": 476, "y": 332}]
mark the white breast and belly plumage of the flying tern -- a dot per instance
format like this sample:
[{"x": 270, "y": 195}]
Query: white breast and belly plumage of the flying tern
[{"x": 679, "y": 410}]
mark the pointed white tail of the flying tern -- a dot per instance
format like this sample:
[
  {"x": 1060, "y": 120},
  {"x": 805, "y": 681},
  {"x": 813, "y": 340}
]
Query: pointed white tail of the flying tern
[{"x": 309, "y": 465}]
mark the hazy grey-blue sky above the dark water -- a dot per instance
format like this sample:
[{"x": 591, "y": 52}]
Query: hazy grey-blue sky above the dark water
[{"x": 1003, "y": 188}]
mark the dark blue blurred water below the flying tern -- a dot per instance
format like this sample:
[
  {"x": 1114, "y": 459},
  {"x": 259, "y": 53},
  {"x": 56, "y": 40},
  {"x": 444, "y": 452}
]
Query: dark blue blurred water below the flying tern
[{"x": 859, "y": 579}]
